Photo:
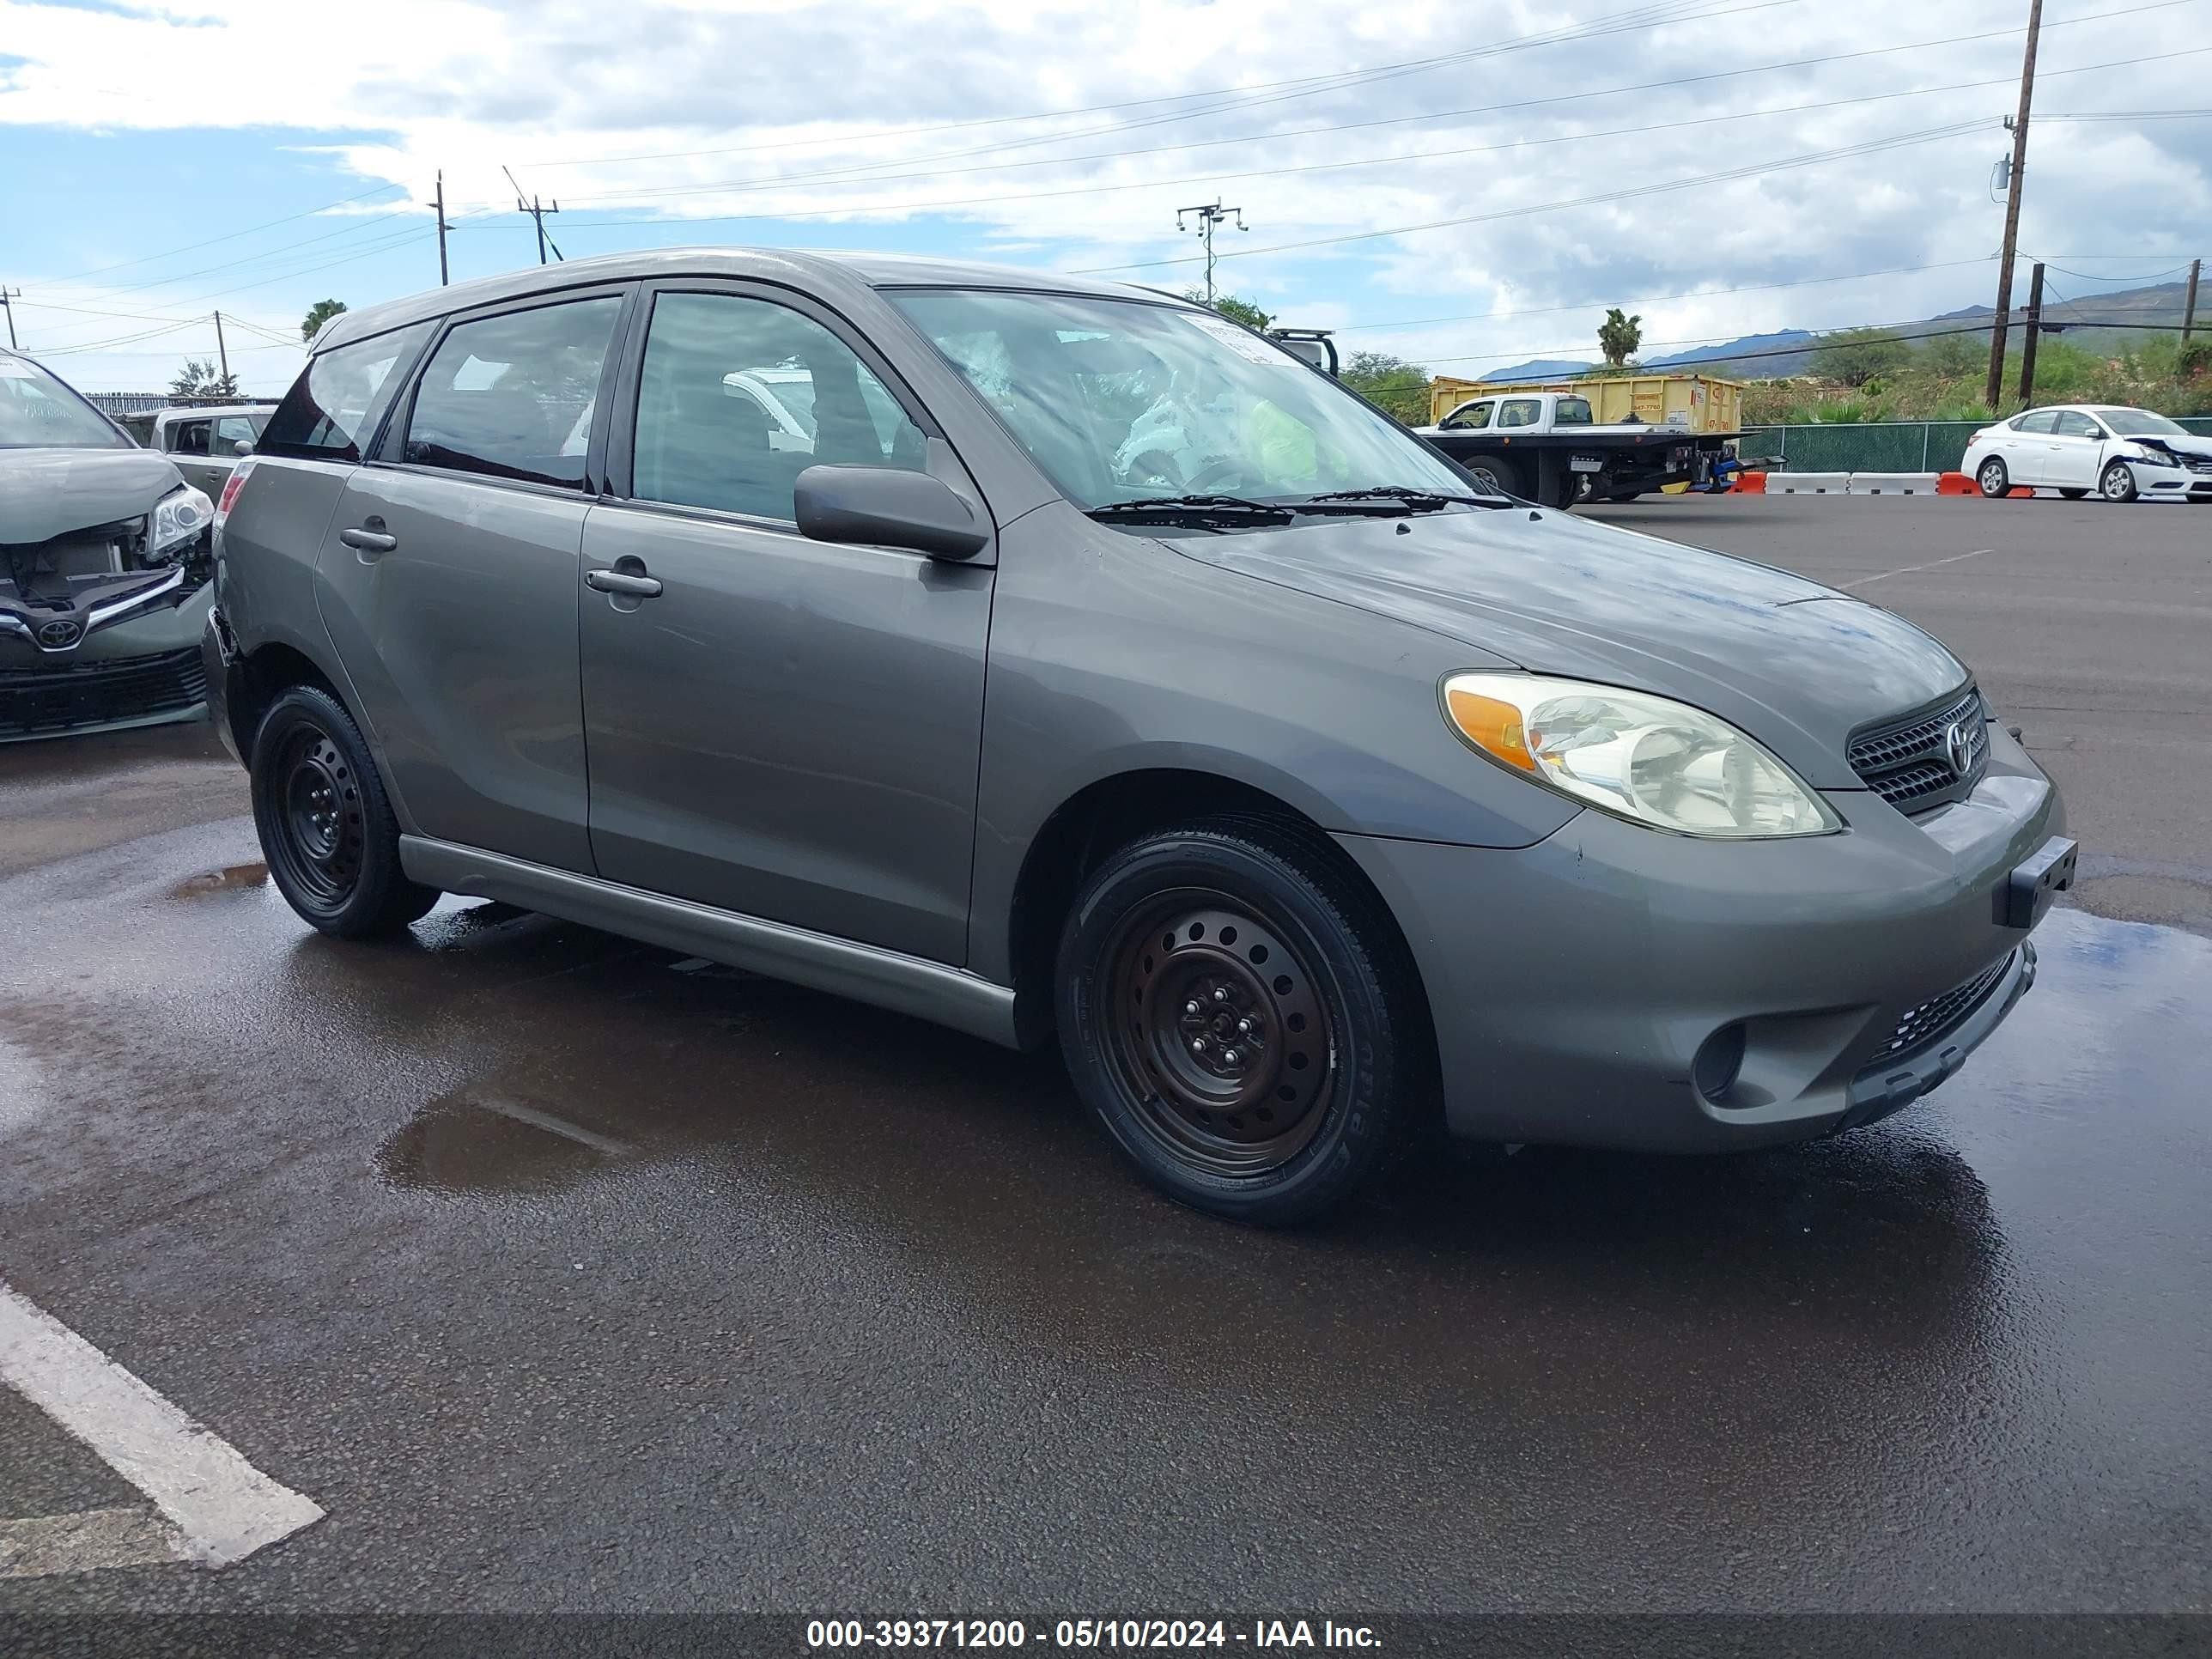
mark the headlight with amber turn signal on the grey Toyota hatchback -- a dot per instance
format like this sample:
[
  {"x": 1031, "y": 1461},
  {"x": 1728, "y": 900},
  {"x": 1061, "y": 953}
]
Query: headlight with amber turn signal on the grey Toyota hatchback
[{"x": 1636, "y": 755}]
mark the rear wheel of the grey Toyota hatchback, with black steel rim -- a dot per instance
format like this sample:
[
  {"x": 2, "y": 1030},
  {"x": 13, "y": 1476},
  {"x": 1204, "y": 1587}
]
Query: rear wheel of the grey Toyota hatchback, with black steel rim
[{"x": 326, "y": 824}]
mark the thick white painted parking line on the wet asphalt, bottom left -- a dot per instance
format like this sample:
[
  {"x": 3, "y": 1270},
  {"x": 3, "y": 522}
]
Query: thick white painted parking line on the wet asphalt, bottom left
[{"x": 222, "y": 1507}]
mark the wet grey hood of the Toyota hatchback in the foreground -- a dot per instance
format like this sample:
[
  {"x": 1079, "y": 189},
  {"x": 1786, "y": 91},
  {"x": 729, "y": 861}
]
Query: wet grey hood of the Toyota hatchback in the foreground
[{"x": 1786, "y": 660}]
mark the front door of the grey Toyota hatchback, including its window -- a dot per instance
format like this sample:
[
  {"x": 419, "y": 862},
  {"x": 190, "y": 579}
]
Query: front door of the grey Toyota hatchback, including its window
[{"x": 778, "y": 727}]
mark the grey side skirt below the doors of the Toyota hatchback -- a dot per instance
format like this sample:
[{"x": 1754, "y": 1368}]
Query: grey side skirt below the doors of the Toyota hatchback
[{"x": 862, "y": 972}]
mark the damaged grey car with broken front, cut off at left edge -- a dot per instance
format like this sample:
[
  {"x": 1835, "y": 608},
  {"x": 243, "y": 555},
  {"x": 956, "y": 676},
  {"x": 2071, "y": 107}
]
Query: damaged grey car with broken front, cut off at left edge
[{"x": 105, "y": 559}]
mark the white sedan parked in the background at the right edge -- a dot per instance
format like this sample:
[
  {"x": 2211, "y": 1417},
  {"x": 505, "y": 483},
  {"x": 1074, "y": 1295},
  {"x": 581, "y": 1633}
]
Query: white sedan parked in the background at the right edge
[{"x": 2076, "y": 448}]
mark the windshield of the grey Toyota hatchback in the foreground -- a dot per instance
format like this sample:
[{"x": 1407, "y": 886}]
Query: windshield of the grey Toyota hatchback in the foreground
[{"x": 1127, "y": 401}]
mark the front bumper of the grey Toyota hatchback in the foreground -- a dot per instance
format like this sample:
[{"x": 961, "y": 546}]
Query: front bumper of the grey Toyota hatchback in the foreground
[{"x": 1576, "y": 983}]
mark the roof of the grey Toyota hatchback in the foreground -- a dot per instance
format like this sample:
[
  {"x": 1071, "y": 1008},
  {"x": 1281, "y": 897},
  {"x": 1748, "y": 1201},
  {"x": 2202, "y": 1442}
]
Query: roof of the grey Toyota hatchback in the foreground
[{"x": 817, "y": 273}]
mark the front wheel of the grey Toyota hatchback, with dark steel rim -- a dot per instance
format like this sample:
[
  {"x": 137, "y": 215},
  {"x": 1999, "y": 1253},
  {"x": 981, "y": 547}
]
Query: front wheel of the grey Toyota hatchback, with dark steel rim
[{"x": 1244, "y": 1021}]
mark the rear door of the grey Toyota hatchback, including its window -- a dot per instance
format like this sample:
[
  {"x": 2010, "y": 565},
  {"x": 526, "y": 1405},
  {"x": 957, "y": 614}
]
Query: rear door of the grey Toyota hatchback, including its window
[{"x": 450, "y": 581}]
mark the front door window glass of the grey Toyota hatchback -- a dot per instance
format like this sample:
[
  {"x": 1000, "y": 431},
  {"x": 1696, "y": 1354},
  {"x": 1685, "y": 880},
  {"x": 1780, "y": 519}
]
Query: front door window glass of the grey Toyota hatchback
[{"x": 740, "y": 395}]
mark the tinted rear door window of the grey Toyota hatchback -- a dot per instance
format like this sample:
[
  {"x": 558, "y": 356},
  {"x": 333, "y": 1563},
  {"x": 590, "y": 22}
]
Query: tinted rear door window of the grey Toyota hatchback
[{"x": 512, "y": 397}]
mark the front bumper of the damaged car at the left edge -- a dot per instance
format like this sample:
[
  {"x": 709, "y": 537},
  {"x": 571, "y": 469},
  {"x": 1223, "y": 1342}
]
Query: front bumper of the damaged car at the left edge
[{"x": 132, "y": 674}]
